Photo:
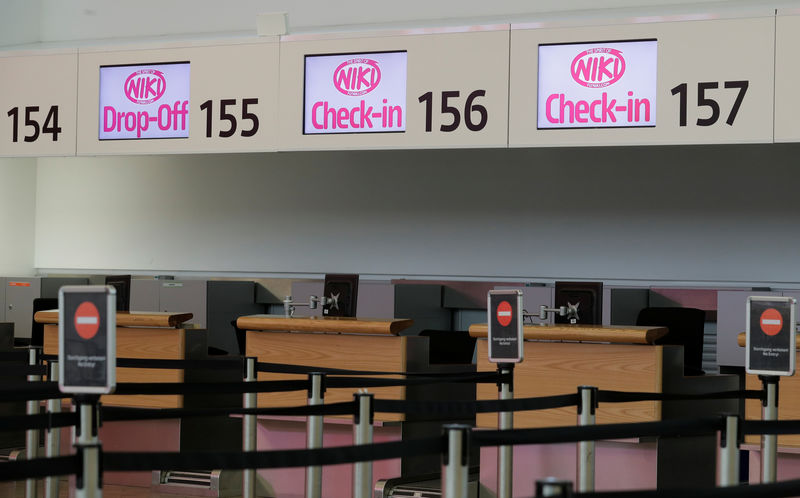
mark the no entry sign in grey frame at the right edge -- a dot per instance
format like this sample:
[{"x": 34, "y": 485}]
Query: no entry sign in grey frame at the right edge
[{"x": 771, "y": 335}]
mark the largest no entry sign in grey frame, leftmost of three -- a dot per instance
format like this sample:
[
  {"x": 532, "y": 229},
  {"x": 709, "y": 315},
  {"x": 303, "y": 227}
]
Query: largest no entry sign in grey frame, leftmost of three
[{"x": 87, "y": 329}]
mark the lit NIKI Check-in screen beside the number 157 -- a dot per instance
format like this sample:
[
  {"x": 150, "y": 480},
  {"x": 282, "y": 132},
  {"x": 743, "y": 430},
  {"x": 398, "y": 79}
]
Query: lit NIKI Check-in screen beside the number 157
[{"x": 597, "y": 85}]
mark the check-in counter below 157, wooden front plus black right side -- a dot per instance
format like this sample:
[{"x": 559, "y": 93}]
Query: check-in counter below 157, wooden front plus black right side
[{"x": 558, "y": 359}]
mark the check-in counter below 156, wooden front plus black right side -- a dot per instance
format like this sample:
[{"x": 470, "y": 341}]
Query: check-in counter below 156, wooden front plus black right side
[{"x": 365, "y": 344}]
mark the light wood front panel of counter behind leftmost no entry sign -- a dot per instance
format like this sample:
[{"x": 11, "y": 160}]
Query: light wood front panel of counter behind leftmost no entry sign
[{"x": 148, "y": 343}]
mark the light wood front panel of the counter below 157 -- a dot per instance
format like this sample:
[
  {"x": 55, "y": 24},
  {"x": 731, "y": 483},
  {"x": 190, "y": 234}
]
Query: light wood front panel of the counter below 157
[{"x": 553, "y": 368}]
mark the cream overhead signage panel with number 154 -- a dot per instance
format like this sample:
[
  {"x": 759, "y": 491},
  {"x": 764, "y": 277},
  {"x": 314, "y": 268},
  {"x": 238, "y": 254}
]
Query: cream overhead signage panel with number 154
[{"x": 37, "y": 100}]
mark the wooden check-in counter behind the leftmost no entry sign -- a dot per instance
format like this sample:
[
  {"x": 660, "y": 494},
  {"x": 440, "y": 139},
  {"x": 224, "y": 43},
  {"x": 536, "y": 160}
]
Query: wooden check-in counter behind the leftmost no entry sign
[{"x": 142, "y": 335}]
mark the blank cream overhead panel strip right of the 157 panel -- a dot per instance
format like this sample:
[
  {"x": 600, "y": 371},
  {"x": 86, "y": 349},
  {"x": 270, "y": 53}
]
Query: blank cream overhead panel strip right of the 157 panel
[{"x": 787, "y": 72}]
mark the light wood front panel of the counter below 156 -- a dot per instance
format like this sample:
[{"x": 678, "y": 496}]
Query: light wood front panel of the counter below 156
[{"x": 353, "y": 352}]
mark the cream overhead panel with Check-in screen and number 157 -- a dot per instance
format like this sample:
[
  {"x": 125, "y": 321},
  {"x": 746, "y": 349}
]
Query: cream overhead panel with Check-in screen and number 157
[{"x": 712, "y": 85}]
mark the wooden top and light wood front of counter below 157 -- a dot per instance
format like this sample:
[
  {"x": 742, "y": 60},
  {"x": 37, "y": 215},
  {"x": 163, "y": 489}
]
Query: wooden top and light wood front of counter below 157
[{"x": 559, "y": 358}]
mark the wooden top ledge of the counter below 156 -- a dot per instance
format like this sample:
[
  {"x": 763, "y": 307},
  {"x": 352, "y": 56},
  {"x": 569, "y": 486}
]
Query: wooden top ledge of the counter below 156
[{"x": 323, "y": 324}]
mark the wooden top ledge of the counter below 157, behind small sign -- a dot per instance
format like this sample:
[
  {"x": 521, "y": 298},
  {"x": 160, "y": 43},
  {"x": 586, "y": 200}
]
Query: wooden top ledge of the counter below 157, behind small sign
[{"x": 583, "y": 333}]
